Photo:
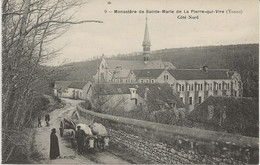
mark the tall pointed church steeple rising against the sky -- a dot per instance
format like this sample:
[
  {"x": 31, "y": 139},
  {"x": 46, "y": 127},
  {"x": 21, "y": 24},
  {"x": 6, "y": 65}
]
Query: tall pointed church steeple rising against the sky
[{"x": 146, "y": 44}]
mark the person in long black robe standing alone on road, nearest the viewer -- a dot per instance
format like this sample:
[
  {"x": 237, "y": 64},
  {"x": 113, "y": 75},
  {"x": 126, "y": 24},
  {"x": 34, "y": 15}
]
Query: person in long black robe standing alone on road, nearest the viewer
[{"x": 54, "y": 145}]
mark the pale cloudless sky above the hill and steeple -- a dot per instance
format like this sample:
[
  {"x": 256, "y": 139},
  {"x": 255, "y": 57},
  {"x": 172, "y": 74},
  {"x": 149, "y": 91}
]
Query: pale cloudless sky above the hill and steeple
[{"x": 124, "y": 32}]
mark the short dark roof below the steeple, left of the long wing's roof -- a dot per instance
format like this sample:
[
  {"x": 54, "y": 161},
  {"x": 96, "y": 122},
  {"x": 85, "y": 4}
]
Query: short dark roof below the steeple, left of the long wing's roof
[{"x": 151, "y": 73}]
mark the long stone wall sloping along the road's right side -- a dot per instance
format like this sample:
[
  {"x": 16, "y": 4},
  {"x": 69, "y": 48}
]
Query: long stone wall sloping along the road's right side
[{"x": 162, "y": 143}]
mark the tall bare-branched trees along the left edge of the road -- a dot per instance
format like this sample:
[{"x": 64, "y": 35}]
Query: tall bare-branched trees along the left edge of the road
[{"x": 29, "y": 26}]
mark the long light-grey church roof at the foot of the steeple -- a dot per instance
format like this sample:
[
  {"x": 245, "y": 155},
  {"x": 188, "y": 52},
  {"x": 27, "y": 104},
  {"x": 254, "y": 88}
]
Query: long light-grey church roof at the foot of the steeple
[{"x": 127, "y": 64}]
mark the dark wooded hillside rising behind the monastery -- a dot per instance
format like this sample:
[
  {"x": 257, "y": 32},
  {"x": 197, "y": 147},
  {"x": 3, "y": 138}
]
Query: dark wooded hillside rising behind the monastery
[{"x": 243, "y": 58}]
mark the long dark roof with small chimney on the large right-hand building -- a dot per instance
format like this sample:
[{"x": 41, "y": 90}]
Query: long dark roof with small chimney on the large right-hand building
[{"x": 197, "y": 74}]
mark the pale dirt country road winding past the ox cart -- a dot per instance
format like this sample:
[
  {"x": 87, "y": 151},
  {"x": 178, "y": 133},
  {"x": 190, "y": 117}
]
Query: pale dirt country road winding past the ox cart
[{"x": 68, "y": 154}]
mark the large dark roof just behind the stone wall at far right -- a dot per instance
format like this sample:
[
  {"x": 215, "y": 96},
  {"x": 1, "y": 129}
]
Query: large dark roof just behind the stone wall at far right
[{"x": 239, "y": 110}]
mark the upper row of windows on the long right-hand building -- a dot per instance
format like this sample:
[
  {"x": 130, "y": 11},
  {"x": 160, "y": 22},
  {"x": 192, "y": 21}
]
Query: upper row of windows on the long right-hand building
[{"x": 200, "y": 87}]
